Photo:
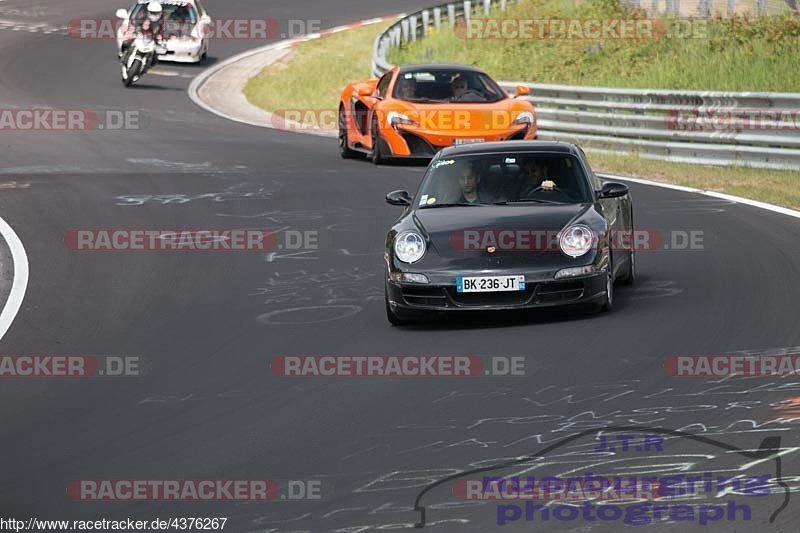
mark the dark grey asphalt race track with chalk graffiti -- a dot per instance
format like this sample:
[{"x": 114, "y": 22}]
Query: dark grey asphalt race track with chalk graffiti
[{"x": 207, "y": 325}]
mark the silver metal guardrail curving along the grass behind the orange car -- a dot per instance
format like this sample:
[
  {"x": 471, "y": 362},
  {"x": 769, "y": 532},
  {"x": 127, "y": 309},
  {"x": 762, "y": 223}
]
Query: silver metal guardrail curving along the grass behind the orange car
[{"x": 701, "y": 127}]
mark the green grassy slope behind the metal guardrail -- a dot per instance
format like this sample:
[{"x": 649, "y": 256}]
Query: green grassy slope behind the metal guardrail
[{"x": 735, "y": 55}]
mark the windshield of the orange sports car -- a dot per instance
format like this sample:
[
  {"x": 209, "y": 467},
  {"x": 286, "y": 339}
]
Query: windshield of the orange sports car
[{"x": 447, "y": 85}]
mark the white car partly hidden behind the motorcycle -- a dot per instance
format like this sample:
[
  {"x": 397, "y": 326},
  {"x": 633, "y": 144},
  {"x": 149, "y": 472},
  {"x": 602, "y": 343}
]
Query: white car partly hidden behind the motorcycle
[{"x": 185, "y": 24}]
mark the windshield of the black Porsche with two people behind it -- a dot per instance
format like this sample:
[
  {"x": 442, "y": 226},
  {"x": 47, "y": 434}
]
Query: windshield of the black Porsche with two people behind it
[{"x": 504, "y": 179}]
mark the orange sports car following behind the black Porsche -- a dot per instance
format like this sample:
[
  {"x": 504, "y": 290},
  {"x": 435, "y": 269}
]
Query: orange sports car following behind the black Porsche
[{"x": 416, "y": 110}]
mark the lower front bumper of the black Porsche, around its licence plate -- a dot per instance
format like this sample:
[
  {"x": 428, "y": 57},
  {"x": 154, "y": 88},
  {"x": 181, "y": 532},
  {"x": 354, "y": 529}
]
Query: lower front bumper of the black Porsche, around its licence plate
[{"x": 407, "y": 298}]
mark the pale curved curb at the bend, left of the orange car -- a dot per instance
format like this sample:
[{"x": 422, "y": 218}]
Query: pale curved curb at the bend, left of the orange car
[{"x": 245, "y": 112}]
